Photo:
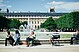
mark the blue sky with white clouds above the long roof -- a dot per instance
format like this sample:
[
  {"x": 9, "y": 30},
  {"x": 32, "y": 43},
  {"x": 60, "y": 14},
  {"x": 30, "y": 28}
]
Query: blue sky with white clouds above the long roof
[{"x": 39, "y": 5}]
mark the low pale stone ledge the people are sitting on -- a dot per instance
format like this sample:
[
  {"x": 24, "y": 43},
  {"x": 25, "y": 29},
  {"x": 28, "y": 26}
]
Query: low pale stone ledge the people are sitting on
[{"x": 41, "y": 41}]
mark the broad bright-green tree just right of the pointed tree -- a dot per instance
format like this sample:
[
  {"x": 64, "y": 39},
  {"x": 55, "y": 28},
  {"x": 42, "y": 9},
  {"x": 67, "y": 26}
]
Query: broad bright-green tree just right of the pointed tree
[{"x": 65, "y": 21}]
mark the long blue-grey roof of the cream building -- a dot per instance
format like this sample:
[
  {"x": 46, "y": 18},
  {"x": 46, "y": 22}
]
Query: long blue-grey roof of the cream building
[{"x": 33, "y": 14}]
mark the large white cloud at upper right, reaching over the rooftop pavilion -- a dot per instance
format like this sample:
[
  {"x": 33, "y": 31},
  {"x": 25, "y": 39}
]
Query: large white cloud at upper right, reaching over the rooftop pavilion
[{"x": 63, "y": 6}]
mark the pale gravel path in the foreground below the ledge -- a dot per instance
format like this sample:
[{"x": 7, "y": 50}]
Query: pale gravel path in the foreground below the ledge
[{"x": 40, "y": 48}]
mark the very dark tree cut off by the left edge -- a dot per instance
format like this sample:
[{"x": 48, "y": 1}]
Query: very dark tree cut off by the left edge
[{"x": 3, "y": 22}]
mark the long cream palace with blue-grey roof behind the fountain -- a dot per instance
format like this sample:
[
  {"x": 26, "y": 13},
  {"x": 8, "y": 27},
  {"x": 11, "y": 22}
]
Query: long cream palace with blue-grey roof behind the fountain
[{"x": 34, "y": 19}]
